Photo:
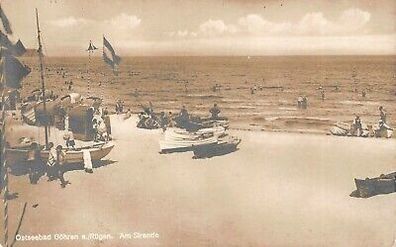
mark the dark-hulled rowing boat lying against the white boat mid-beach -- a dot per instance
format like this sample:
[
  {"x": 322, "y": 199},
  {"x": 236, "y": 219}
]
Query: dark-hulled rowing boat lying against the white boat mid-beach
[{"x": 223, "y": 146}]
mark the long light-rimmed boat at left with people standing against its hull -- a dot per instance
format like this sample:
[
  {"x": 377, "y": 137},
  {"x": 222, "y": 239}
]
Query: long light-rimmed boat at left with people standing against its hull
[{"x": 97, "y": 151}]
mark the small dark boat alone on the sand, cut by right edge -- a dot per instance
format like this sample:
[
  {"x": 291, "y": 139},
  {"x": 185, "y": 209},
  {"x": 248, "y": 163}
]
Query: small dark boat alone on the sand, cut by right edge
[{"x": 383, "y": 184}]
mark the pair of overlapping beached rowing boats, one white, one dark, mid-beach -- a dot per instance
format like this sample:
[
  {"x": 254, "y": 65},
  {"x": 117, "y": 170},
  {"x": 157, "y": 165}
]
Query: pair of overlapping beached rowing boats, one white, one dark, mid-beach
[{"x": 205, "y": 142}]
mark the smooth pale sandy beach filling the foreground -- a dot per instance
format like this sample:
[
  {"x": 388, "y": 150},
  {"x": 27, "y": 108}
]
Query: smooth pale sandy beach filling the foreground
[{"x": 279, "y": 189}]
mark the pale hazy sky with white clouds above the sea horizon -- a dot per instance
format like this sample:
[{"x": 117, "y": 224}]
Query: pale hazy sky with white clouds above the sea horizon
[{"x": 208, "y": 27}]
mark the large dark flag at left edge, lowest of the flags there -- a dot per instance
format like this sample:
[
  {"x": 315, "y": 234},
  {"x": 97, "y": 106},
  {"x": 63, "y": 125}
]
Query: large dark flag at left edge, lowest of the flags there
[{"x": 13, "y": 71}]
